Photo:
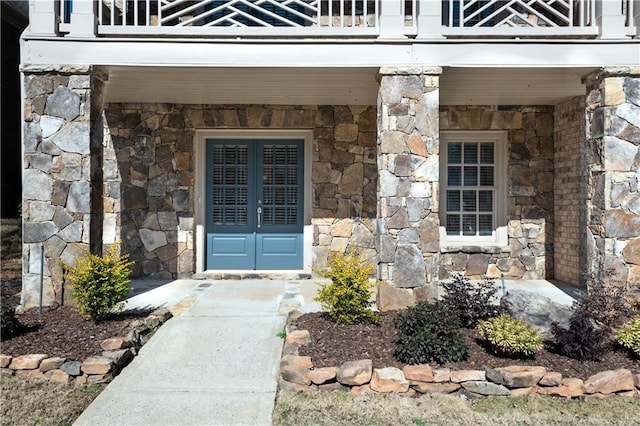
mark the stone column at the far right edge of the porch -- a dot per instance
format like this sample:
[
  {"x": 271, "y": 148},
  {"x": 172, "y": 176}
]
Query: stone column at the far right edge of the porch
[{"x": 612, "y": 184}]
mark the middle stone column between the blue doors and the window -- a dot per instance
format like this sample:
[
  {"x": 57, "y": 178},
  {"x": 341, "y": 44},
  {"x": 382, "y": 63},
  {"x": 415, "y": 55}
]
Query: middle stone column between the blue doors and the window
[{"x": 408, "y": 175}]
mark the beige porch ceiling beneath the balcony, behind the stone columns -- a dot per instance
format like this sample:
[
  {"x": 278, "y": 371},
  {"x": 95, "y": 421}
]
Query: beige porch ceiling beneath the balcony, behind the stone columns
[{"x": 335, "y": 86}]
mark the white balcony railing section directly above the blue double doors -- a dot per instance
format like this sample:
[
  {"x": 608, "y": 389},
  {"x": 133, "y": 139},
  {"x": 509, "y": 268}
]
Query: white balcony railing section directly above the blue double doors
[{"x": 239, "y": 17}]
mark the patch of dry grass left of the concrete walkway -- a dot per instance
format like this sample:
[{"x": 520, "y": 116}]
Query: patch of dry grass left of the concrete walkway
[{"x": 38, "y": 402}]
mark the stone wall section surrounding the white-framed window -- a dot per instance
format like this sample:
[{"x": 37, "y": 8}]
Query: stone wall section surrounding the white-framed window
[{"x": 530, "y": 174}]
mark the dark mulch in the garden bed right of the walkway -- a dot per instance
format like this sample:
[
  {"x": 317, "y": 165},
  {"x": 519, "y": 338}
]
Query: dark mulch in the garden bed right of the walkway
[{"x": 332, "y": 344}]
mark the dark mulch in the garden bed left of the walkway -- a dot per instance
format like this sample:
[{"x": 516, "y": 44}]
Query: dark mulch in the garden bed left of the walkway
[{"x": 62, "y": 332}]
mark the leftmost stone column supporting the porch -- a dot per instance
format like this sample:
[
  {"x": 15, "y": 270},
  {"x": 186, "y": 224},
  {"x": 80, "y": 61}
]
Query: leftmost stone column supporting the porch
[{"x": 62, "y": 143}]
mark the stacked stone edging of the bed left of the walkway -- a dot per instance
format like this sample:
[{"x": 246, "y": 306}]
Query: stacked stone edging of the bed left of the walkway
[{"x": 117, "y": 353}]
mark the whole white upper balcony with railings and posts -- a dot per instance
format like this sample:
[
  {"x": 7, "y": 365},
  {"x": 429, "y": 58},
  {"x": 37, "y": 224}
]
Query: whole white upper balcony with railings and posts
[{"x": 339, "y": 19}]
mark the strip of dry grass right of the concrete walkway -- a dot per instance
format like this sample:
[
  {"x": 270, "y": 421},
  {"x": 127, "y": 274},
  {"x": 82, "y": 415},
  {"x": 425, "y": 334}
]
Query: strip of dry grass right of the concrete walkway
[{"x": 341, "y": 408}]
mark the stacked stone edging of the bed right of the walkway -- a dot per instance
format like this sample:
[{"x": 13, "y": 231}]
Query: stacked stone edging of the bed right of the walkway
[{"x": 298, "y": 374}]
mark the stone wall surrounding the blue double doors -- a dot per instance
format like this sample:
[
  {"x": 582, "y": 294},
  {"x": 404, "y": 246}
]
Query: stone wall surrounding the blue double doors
[{"x": 149, "y": 191}]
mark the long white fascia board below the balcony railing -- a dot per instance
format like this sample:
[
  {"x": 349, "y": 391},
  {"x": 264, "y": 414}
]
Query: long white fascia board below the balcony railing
[{"x": 185, "y": 53}]
